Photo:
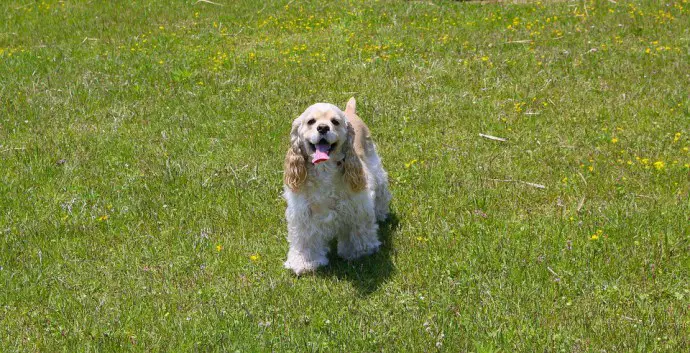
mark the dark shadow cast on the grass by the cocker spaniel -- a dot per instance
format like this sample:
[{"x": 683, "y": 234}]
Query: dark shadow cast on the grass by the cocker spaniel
[{"x": 370, "y": 272}]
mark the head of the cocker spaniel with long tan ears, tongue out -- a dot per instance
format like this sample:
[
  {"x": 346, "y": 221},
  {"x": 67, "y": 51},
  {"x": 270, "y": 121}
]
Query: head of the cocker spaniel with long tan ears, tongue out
[{"x": 321, "y": 135}]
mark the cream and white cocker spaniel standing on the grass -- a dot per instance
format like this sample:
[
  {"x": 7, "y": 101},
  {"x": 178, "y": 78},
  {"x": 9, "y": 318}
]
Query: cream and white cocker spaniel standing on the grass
[{"x": 335, "y": 187}]
